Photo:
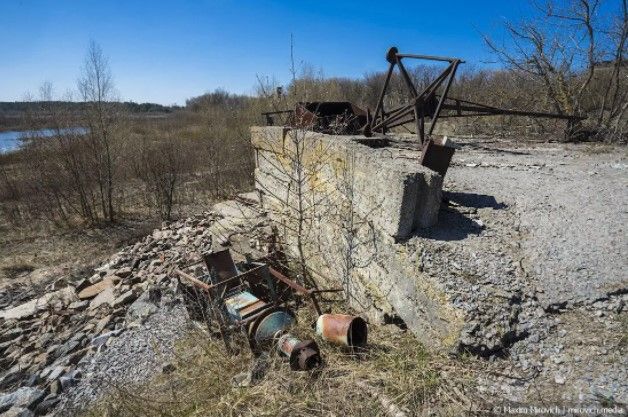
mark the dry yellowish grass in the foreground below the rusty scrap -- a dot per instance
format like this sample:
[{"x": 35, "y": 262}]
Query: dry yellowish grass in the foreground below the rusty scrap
[{"x": 395, "y": 376}]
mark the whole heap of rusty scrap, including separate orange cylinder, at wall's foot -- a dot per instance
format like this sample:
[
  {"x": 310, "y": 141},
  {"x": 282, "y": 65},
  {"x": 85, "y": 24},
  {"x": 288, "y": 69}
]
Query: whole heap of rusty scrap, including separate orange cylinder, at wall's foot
[{"x": 259, "y": 301}]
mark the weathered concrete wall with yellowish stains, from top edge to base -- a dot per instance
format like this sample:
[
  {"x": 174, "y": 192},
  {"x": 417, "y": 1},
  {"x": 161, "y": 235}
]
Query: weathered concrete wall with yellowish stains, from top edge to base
[{"x": 346, "y": 208}]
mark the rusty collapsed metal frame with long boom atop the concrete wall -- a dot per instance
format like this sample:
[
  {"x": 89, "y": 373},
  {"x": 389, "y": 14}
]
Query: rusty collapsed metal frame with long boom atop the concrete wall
[{"x": 431, "y": 103}]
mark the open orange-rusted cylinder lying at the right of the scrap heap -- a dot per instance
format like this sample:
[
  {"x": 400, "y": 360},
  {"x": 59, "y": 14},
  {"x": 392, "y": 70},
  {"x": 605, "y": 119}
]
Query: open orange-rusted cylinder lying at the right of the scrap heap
[{"x": 342, "y": 329}]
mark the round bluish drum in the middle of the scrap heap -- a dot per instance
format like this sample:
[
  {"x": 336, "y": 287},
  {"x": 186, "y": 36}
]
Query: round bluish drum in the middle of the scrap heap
[{"x": 265, "y": 328}]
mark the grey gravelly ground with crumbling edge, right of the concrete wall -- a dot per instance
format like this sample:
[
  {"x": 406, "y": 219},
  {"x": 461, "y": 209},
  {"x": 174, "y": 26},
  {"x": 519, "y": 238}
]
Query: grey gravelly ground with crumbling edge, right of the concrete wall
[{"x": 551, "y": 239}]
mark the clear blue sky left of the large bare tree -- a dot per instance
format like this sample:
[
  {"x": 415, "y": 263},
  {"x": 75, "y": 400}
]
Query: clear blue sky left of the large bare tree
[{"x": 167, "y": 51}]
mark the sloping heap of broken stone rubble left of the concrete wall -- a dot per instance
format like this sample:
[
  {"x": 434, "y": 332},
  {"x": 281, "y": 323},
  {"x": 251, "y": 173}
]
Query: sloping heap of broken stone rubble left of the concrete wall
[{"x": 55, "y": 345}]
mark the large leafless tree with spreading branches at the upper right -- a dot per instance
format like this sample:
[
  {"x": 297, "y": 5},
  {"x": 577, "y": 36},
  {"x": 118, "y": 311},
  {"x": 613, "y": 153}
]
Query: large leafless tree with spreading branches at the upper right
[{"x": 568, "y": 50}]
